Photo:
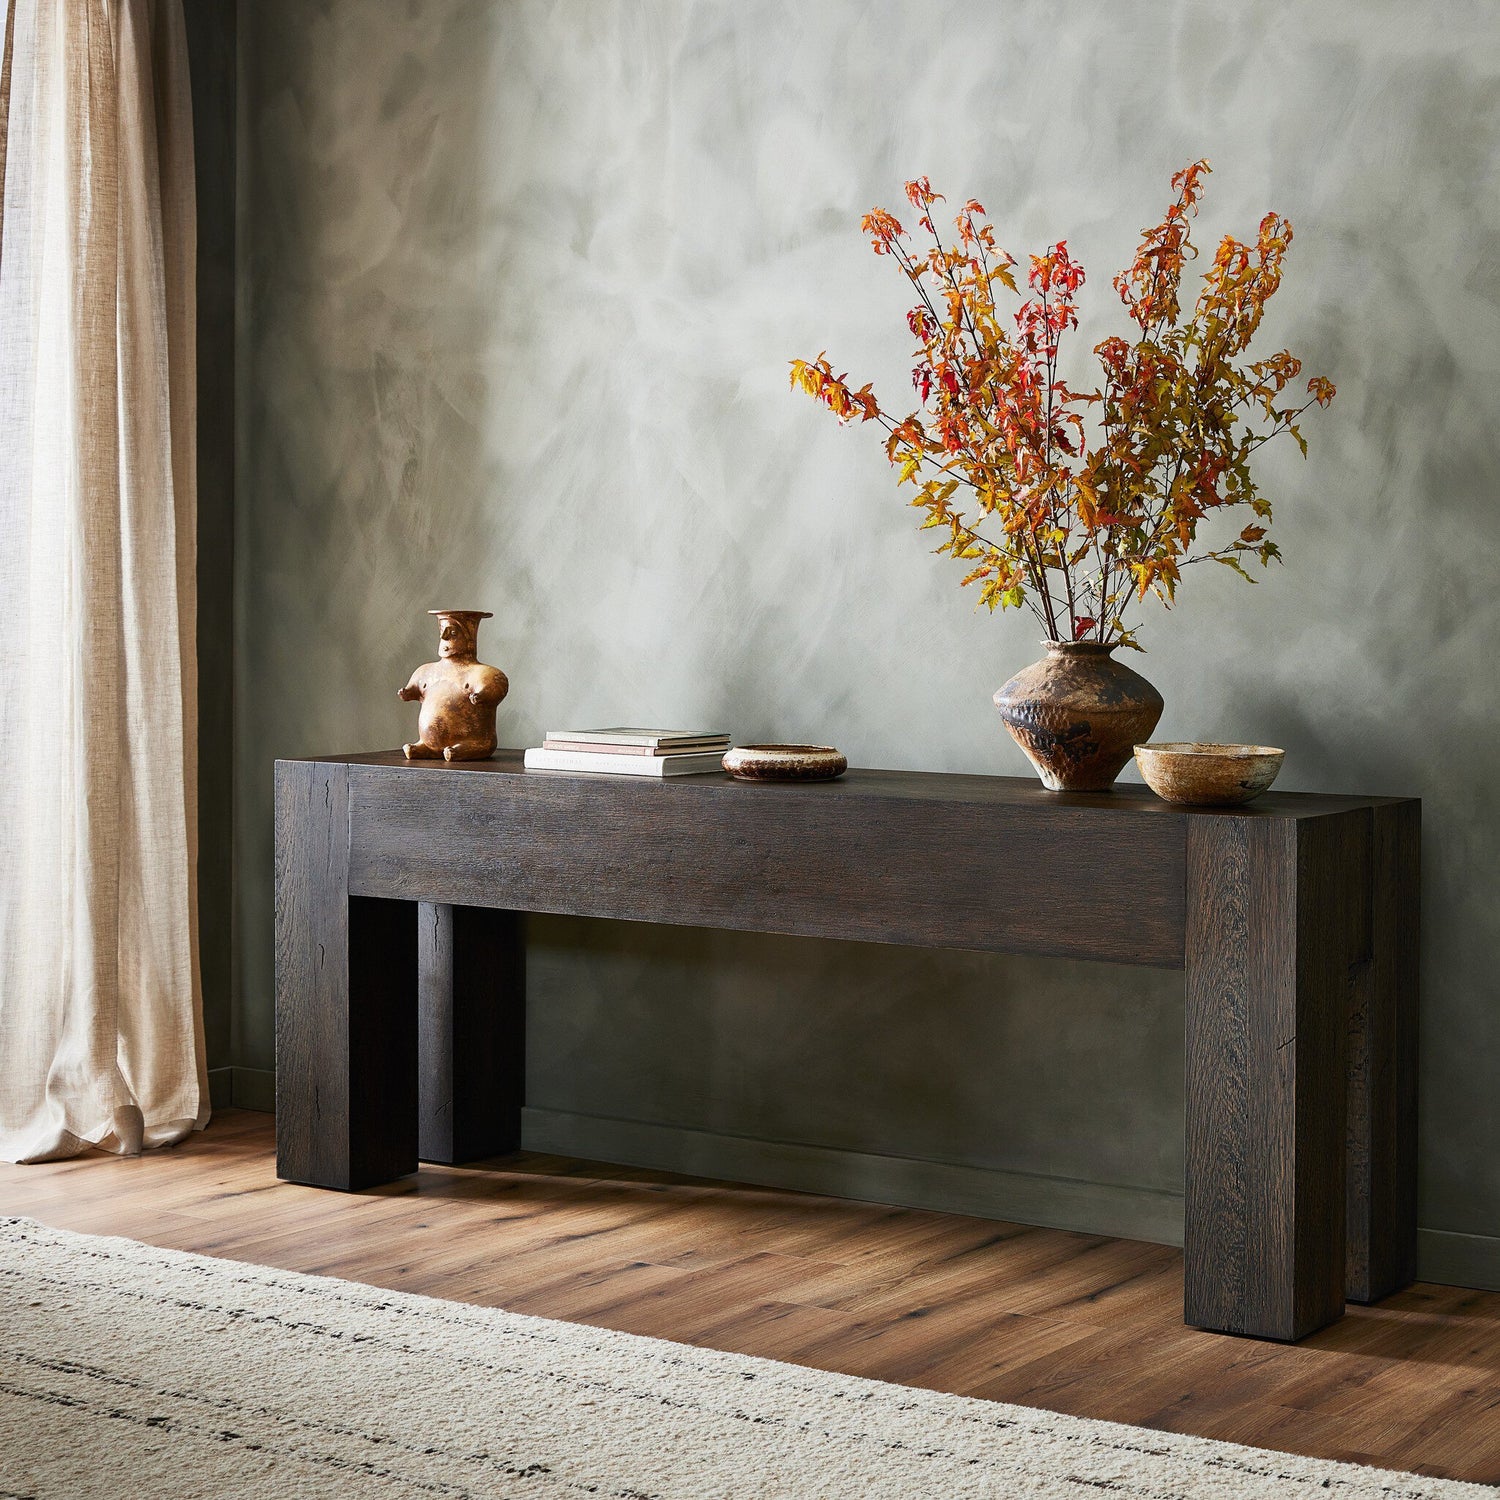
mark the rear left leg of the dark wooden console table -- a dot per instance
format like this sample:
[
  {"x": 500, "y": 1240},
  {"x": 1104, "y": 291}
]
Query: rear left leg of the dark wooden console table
[{"x": 472, "y": 1031}]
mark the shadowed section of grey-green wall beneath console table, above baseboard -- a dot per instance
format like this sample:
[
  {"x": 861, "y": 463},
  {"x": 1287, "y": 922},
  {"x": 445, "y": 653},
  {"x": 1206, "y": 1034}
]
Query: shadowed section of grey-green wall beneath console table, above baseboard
[{"x": 853, "y": 1046}]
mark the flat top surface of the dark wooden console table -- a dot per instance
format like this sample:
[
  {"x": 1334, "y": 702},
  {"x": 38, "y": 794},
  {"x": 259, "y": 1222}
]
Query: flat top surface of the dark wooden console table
[{"x": 859, "y": 782}]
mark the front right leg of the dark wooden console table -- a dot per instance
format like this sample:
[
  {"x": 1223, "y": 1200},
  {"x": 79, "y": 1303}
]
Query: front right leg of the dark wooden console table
[{"x": 1277, "y": 913}]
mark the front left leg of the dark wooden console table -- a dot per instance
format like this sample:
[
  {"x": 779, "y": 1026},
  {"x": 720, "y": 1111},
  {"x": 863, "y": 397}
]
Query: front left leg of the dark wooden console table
[{"x": 346, "y": 989}]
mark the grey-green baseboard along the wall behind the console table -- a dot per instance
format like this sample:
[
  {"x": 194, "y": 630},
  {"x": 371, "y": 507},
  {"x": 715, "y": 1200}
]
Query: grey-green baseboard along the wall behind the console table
[{"x": 1087, "y": 1208}]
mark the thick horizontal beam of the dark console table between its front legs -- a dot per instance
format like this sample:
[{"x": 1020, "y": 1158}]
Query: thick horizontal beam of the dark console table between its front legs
[{"x": 880, "y": 857}]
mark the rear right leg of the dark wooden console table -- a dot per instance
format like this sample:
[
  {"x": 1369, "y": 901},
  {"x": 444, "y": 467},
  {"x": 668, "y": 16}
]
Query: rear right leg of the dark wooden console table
[{"x": 1382, "y": 1066}]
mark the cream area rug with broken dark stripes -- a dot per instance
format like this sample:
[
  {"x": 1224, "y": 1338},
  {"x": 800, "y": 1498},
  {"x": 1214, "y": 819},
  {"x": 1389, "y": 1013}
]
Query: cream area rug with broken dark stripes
[{"x": 128, "y": 1372}]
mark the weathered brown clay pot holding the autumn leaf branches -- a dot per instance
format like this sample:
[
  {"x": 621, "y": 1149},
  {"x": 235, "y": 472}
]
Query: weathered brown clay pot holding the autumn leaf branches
[{"x": 1079, "y": 715}]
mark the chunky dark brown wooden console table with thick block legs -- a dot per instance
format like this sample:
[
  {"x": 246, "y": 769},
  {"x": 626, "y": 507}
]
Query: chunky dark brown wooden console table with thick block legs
[{"x": 401, "y": 1007}]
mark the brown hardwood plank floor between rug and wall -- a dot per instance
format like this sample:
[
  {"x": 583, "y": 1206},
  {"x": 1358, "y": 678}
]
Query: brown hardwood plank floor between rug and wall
[{"x": 1070, "y": 1322}]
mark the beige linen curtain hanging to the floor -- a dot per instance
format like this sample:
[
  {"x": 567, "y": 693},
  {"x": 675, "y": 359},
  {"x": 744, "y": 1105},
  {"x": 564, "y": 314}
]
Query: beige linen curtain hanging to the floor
[{"x": 101, "y": 1024}]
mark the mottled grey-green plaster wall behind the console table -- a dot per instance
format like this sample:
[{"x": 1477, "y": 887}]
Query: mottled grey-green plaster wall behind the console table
[{"x": 520, "y": 283}]
